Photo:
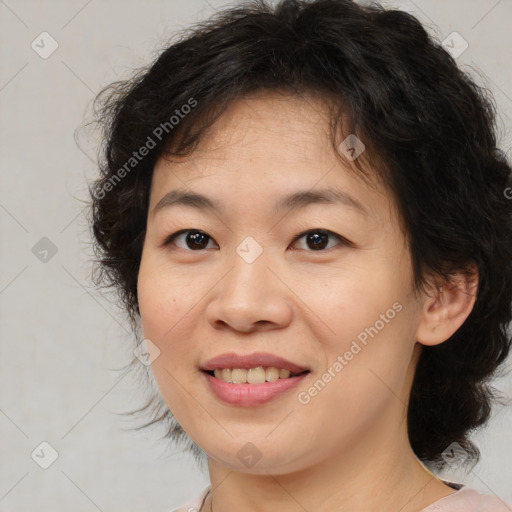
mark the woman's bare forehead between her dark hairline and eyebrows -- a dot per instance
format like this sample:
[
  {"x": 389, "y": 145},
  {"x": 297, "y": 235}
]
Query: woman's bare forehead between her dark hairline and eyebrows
[{"x": 266, "y": 145}]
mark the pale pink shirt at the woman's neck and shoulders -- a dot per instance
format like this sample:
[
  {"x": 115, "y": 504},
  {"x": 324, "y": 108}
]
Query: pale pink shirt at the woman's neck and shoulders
[{"x": 463, "y": 500}]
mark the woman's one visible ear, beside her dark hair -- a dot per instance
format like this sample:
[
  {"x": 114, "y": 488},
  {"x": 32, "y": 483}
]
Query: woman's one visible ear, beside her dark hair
[{"x": 445, "y": 310}]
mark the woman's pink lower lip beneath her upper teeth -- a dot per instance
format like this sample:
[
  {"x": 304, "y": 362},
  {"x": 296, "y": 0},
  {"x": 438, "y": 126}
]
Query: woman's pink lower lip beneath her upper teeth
[{"x": 251, "y": 395}]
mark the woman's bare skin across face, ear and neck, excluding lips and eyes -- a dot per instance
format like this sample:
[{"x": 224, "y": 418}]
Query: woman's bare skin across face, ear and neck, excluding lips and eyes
[{"x": 347, "y": 449}]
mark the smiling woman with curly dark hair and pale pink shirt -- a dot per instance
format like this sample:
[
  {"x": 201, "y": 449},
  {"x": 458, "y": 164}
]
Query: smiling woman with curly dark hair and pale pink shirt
[{"x": 304, "y": 211}]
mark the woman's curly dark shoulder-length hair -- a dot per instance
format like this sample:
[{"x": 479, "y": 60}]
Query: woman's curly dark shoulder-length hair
[{"x": 428, "y": 124}]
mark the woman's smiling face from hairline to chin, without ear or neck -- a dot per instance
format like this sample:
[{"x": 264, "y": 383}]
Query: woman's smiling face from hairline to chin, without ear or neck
[{"x": 324, "y": 284}]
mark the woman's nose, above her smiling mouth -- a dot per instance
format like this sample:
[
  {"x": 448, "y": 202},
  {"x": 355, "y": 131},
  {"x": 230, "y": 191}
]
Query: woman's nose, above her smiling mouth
[{"x": 250, "y": 297}]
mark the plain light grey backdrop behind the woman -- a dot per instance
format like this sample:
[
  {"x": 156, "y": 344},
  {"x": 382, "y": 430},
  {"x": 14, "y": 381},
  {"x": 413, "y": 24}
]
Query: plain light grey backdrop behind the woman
[{"x": 61, "y": 341}]
